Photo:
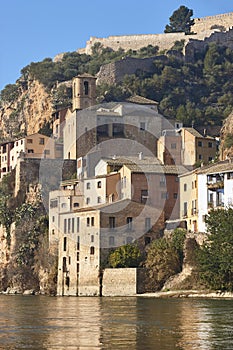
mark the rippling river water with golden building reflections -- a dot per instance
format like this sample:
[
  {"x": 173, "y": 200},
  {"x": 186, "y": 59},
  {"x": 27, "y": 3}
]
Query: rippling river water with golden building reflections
[{"x": 135, "y": 323}]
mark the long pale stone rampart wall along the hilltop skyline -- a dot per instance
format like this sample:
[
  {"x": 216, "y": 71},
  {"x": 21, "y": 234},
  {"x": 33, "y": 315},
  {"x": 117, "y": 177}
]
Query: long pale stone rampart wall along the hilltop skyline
[{"x": 202, "y": 28}]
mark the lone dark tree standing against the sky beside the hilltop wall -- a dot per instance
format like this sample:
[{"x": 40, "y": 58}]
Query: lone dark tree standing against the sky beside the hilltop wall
[{"x": 180, "y": 21}]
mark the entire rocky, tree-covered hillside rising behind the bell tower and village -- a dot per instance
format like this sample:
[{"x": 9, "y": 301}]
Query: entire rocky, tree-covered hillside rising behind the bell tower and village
[{"x": 191, "y": 85}]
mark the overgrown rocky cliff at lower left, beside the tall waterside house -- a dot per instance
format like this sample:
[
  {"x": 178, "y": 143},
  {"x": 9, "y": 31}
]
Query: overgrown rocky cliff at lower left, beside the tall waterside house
[{"x": 26, "y": 227}]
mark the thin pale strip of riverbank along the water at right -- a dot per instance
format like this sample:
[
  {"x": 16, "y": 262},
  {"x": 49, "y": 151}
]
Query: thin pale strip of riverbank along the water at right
[{"x": 187, "y": 294}]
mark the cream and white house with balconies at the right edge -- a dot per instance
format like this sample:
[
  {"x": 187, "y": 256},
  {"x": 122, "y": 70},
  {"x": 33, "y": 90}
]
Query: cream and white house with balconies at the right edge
[{"x": 203, "y": 189}]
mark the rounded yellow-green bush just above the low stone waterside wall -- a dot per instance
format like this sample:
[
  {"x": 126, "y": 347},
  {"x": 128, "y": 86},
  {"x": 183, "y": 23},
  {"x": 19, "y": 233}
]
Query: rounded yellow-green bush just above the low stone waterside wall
[{"x": 125, "y": 256}]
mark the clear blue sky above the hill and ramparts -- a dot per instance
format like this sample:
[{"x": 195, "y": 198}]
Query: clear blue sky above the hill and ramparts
[{"x": 32, "y": 30}]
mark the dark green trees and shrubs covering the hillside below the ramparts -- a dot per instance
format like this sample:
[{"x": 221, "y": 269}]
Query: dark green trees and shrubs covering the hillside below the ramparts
[{"x": 198, "y": 92}]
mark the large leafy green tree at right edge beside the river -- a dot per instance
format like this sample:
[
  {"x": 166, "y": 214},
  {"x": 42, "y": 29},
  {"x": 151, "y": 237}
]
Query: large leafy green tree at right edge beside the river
[{"x": 215, "y": 258}]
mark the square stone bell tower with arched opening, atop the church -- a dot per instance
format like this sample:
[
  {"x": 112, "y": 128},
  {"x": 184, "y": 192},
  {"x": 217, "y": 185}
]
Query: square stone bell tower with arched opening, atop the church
[{"x": 84, "y": 91}]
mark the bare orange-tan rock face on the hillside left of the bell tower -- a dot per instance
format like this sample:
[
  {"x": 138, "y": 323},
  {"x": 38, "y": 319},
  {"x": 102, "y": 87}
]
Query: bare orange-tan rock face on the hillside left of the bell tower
[{"x": 28, "y": 113}]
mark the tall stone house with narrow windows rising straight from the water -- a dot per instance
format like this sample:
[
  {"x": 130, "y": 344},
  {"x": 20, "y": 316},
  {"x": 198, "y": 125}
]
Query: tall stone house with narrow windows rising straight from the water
[{"x": 88, "y": 236}]
